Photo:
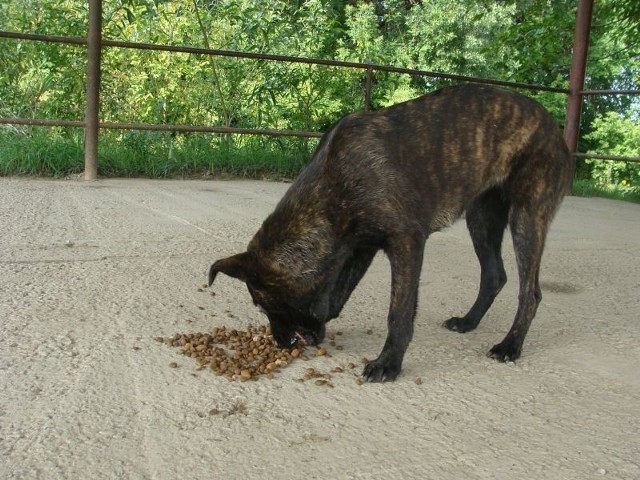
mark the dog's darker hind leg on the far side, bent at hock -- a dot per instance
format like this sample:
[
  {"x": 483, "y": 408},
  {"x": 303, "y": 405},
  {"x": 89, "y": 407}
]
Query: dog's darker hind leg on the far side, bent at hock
[{"x": 487, "y": 219}]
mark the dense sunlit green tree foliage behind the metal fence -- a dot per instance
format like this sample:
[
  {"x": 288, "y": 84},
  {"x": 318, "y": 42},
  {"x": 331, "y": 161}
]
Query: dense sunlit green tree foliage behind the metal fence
[{"x": 526, "y": 41}]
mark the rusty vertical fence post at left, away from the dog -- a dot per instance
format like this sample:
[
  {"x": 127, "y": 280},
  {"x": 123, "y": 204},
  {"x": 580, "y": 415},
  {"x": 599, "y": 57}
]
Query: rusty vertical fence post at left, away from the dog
[{"x": 91, "y": 115}]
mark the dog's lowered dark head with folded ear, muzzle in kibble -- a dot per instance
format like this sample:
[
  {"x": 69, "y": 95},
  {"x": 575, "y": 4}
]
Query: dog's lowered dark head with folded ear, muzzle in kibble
[{"x": 293, "y": 313}]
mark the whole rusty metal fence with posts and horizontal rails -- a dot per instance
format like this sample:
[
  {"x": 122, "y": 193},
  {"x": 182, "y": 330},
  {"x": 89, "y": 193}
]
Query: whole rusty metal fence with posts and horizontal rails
[{"x": 95, "y": 43}]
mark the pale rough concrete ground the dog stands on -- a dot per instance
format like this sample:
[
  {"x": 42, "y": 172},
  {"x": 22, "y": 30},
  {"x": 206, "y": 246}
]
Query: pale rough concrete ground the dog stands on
[{"x": 91, "y": 273}]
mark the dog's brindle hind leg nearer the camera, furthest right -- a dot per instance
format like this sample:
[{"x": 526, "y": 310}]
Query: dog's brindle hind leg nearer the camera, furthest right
[{"x": 528, "y": 229}]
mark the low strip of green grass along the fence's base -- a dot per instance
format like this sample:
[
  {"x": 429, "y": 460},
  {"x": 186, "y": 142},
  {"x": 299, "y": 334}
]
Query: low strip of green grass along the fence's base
[{"x": 59, "y": 152}]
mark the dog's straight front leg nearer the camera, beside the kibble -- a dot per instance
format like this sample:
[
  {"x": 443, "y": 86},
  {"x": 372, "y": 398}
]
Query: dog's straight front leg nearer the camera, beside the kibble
[{"x": 405, "y": 255}]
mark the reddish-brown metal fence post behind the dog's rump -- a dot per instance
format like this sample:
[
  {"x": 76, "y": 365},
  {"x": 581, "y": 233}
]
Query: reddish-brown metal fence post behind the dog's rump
[{"x": 576, "y": 77}]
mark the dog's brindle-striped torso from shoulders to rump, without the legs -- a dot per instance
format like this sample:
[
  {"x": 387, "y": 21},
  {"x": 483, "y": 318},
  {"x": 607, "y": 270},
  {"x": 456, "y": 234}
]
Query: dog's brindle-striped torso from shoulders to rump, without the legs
[{"x": 435, "y": 154}]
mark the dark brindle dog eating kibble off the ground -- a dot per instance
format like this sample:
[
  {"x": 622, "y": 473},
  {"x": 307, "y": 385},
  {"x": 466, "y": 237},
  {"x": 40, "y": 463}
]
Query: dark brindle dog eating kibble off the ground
[{"x": 386, "y": 180}]
